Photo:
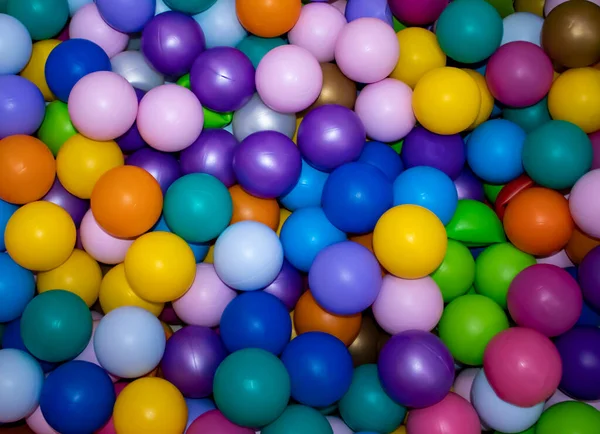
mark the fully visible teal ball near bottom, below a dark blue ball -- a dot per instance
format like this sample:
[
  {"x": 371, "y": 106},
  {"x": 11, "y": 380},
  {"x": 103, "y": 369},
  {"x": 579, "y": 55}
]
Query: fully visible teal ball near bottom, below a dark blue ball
[{"x": 251, "y": 387}]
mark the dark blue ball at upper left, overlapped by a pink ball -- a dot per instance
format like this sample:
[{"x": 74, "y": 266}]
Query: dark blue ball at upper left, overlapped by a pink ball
[{"x": 70, "y": 61}]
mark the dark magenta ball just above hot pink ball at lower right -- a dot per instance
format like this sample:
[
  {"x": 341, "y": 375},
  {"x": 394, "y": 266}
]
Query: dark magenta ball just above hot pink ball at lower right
[{"x": 545, "y": 298}]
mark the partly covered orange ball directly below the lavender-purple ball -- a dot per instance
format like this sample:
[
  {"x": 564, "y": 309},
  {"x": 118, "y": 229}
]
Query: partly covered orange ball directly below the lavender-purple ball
[{"x": 310, "y": 317}]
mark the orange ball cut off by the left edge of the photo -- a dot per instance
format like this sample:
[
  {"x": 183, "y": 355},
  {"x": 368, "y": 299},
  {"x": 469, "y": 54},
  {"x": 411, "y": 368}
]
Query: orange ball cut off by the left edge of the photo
[{"x": 27, "y": 169}]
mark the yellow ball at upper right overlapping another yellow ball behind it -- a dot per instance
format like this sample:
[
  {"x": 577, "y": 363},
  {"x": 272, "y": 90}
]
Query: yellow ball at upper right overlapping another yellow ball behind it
[{"x": 446, "y": 101}]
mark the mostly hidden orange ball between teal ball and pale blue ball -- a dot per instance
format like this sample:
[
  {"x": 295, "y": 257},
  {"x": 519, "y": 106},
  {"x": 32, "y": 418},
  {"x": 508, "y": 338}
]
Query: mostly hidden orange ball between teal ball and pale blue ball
[{"x": 248, "y": 207}]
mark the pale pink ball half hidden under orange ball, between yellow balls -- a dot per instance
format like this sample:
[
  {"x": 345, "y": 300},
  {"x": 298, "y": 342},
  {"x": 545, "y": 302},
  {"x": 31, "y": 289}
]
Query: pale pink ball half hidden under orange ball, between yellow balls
[{"x": 100, "y": 245}]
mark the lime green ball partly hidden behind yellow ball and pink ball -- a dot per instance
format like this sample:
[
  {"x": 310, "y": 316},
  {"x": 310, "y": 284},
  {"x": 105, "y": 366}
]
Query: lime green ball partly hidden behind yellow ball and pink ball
[{"x": 456, "y": 273}]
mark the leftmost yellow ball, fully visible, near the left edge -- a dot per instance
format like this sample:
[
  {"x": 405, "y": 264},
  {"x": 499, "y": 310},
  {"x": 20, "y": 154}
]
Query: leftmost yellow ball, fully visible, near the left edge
[{"x": 40, "y": 236}]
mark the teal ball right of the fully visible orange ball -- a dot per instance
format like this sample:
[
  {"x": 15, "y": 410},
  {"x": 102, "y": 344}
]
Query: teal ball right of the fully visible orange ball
[{"x": 198, "y": 207}]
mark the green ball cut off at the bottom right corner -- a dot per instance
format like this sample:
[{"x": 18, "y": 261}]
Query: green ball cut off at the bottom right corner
[{"x": 570, "y": 417}]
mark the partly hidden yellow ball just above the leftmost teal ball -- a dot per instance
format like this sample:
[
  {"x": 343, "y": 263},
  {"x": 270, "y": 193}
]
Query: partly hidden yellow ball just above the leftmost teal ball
[{"x": 80, "y": 274}]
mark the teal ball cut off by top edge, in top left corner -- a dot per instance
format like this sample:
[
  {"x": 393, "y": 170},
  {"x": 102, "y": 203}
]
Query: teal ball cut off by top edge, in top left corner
[{"x": 43, "y": 18}]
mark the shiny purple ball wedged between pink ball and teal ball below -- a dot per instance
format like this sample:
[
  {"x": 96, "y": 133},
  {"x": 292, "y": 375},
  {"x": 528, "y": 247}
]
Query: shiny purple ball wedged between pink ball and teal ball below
[{"x": 211, "y": 153}]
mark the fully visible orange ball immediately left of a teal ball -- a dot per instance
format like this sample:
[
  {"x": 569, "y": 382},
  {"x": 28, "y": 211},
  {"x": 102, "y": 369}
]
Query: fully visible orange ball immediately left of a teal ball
[{"x": 126, "y": 201}]
